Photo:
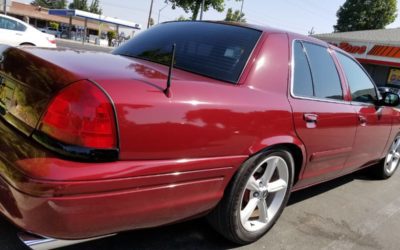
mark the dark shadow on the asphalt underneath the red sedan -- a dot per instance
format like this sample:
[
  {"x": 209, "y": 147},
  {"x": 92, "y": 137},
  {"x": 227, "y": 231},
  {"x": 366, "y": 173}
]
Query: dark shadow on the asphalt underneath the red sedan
[{"x": 194, "y": 234}]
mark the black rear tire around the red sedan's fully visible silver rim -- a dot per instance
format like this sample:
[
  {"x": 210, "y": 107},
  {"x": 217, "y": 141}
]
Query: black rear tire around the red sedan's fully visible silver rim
[{"x": 226, "y": 217}]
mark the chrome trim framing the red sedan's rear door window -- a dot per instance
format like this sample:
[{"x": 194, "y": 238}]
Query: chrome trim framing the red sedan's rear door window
[{"x": 292, "y": 78}]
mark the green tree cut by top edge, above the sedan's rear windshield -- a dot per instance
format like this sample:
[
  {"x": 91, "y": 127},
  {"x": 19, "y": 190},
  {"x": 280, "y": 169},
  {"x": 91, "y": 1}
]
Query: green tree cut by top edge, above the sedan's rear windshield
[{"x": 194, "y": 6}]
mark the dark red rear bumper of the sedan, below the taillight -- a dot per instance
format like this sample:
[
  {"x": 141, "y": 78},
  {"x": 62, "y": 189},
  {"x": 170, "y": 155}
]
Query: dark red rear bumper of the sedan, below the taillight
[{"x": 61, "y": 199}]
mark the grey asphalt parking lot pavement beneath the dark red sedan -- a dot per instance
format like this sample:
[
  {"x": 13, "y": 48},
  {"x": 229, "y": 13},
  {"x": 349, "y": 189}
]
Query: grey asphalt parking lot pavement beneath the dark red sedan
[{"x": 353, "y": 212}]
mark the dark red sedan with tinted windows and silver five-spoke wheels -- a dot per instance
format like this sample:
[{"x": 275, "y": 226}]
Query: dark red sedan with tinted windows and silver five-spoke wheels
[{"x": 186, "y": 119}]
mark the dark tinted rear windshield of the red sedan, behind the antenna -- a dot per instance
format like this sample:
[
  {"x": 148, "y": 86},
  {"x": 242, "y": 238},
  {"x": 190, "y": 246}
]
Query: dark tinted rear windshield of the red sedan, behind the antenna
[{"x": 215, "y": 50}]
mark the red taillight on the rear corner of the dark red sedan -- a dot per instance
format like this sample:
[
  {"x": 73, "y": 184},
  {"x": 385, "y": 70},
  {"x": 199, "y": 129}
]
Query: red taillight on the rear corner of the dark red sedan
[{"x": 81, "y": 115}]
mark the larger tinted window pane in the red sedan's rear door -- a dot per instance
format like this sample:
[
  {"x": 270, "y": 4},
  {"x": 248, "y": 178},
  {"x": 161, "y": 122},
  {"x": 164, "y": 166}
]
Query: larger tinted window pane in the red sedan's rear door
[{"x": 324, "y": 73}]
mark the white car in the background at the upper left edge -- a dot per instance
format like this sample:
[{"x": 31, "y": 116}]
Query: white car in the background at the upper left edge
[{"x": 15, "y": 32}]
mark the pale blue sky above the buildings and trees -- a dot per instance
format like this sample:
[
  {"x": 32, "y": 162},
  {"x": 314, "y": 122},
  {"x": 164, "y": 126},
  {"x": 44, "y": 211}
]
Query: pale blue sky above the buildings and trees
[{"x": 295, "y": 15}]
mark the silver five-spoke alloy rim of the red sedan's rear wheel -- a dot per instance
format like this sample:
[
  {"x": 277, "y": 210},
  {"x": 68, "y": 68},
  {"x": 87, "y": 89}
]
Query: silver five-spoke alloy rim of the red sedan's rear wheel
[{"x": 264, "y": 193}]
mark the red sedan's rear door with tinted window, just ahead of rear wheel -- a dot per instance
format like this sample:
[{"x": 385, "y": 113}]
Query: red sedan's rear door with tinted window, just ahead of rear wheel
[{"x": 324, "y": 120}]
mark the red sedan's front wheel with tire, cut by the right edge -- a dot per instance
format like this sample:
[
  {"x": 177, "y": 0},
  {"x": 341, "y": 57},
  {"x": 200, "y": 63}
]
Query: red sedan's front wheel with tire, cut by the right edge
[{"x": 388, "y": 166}]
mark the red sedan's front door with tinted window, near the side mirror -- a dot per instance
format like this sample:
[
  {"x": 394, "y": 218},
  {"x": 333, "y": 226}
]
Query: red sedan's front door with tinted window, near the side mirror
[{"x": 374, "y": 122}]
